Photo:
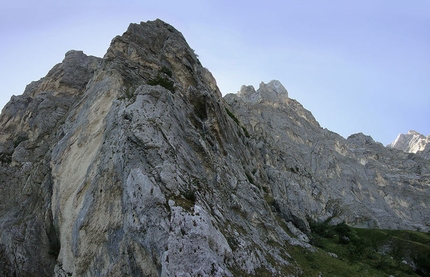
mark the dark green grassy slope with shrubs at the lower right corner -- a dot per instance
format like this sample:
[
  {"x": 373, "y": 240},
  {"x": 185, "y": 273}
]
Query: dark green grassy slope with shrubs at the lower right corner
[{"x": 366, "y": 252}]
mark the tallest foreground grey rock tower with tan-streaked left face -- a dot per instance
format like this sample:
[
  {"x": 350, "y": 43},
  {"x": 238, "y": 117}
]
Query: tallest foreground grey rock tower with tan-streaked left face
[{"x": 144, "y": 174}]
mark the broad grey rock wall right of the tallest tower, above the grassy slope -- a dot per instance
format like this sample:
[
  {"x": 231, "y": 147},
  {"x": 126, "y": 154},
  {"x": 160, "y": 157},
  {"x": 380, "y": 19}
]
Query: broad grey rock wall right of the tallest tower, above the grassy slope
[{"x": 317, "y": 173}]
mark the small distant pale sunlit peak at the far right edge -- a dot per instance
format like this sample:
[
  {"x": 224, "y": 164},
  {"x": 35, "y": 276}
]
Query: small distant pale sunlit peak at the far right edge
[{"x": 413, "y": 142}]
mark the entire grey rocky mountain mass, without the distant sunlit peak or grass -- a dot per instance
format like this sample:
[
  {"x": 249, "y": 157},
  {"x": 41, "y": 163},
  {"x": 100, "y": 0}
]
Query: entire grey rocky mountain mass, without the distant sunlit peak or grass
[{"x": 135, "y": 165}]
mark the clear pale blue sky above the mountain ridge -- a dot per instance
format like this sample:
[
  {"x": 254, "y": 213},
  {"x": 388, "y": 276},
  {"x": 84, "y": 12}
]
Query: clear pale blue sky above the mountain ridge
[{"x": 358, "y": 66}]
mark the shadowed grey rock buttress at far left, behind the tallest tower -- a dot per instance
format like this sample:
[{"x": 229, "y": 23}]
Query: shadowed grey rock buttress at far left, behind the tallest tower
[{"x": 27, "y": 134}]
